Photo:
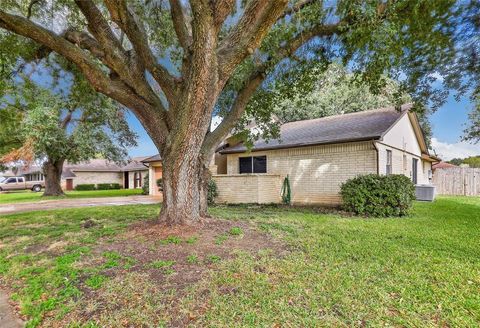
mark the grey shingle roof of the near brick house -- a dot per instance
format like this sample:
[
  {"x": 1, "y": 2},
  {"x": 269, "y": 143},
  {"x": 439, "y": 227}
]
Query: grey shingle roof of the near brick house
[{"x": 367, "y": 125}]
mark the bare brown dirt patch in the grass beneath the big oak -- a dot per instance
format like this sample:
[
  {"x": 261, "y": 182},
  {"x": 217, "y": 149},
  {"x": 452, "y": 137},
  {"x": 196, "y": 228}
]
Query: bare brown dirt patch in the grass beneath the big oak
[{"x": 150, "y": 267}]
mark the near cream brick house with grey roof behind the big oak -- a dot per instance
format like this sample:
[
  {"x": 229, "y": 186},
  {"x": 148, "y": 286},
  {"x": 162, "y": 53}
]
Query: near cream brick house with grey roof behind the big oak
[{"x": 318, "y": 155}]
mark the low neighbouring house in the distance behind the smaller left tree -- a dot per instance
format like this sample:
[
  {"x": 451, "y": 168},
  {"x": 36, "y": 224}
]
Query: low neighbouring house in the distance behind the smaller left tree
[{"x": 95, "y": 171}]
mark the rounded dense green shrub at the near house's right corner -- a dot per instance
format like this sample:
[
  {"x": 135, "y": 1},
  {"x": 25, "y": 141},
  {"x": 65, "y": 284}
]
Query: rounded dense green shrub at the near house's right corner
[{"x": 378, "y": 195}]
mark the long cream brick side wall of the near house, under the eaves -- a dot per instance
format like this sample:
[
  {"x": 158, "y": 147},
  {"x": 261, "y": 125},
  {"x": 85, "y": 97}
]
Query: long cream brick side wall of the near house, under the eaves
[{"x": 315, "y": 172}]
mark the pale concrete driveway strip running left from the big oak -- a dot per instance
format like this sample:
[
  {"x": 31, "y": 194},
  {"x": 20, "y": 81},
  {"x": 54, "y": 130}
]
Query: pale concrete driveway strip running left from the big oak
[{"x": 79, "y": 202}]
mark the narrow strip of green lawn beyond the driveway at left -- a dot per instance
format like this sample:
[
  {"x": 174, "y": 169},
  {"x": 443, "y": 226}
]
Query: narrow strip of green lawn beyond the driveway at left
[{"x": 30, "y": 196}]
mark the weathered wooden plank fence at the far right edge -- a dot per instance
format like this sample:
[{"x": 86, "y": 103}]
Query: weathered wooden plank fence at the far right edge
[{"x": 457, "y": 181}]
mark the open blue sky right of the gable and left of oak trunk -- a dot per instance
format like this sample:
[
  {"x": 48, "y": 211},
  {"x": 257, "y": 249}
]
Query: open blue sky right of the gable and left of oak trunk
[{"x": 448, "y": 123}]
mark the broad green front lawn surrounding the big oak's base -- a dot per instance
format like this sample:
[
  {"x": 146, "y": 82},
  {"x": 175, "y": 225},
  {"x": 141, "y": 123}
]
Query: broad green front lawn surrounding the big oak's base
[{"x": 418, "y": 271}]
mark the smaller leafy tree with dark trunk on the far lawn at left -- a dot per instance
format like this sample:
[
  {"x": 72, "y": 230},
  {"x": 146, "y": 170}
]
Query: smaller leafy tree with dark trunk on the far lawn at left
[{"x": 57, "y": 127}]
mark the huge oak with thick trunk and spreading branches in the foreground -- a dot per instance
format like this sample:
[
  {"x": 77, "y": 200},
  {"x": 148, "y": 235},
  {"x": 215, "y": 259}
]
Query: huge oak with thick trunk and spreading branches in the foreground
[{"x": 170, "y": 62}]
